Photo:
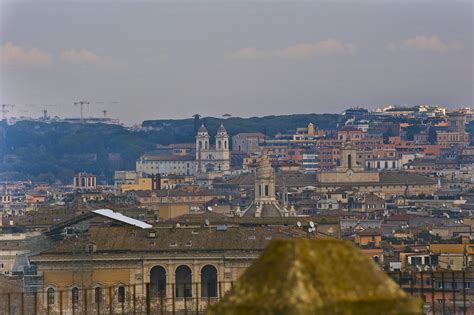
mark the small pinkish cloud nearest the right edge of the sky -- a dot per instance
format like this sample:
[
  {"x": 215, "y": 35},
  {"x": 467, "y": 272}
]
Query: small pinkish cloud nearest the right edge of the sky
[{"x": 423, "y": 42}]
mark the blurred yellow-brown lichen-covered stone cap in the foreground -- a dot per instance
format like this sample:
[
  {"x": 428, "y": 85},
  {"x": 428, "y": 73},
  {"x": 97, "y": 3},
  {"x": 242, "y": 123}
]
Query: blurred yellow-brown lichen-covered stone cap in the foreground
[{"x": 315, "y": 277}]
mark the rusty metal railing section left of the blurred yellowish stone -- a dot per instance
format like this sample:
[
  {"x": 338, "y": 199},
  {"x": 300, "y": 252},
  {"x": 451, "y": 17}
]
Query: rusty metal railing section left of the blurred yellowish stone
[{"x": 190, "y": 298}]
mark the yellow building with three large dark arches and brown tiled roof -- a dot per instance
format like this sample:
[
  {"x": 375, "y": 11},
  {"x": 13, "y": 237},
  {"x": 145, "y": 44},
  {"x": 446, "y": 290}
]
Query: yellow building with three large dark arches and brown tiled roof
[{"x": 185, "y": 261}]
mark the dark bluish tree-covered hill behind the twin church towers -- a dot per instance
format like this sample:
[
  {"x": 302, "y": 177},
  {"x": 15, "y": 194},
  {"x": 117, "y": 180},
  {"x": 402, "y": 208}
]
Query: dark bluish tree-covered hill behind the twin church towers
[{"x": 53, "y": 152}]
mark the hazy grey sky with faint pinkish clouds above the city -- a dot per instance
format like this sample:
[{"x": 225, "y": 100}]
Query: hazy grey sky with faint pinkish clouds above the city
[{"x": 172, "y": 59}]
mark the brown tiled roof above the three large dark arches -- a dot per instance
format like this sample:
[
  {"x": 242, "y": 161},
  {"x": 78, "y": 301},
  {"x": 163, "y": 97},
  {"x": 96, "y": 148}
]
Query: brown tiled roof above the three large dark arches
[{"x": 129, "y": 240}]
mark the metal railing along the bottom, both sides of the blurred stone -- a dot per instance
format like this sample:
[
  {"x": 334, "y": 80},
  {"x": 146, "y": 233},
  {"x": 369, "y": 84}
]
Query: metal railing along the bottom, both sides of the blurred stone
[{"x": 442, "y": 292}]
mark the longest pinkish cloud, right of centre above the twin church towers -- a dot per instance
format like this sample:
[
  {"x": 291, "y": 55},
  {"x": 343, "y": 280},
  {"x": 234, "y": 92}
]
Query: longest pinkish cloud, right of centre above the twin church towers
[{"x": 298, "y": 51}]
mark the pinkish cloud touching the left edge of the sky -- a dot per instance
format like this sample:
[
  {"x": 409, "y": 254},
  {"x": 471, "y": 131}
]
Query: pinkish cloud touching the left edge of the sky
[{"x": 13, "y": 54}]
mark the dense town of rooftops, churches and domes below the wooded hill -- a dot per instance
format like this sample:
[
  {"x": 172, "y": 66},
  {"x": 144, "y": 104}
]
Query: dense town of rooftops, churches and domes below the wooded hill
[{"x": 402, "y": 192}]
